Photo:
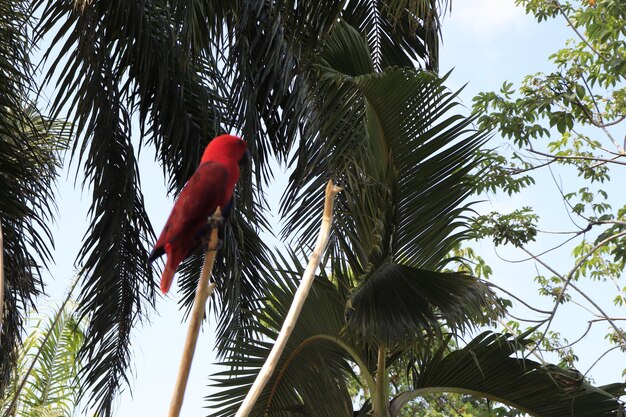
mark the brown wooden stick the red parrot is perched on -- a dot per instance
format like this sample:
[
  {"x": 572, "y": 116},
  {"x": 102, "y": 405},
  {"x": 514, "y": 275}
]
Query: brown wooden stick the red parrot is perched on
[{"x": 203, "y": 292}]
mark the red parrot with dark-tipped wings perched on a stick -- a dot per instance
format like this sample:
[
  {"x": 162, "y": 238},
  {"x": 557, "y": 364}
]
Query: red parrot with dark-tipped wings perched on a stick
[{"x": 211, "y": 186}]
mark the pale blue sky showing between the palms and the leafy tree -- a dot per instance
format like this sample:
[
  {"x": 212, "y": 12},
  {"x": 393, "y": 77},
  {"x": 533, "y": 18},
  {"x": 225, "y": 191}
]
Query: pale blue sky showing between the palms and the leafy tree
[{"x": 485, "y": 42}]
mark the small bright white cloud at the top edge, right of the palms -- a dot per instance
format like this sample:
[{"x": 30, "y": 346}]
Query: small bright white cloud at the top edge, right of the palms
[{"x": 485, "y": 18}]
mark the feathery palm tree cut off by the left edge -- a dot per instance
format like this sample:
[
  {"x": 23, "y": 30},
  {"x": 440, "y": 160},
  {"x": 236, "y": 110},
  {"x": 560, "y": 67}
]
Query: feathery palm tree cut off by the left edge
[{"x": 29, "y": 159}]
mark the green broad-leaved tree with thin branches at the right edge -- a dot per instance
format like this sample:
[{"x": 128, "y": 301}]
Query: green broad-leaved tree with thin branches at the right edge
[{"x": 565, "y": 124}]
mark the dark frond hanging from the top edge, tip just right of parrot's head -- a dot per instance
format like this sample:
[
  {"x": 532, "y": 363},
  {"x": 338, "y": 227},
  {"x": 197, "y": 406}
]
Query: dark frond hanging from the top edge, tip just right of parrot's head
[{"x": 272, "y": 48}]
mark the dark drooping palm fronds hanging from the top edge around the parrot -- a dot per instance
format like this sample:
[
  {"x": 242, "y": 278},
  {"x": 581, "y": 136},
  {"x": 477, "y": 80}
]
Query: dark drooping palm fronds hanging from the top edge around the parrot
[{"x": 246, "y": 66}]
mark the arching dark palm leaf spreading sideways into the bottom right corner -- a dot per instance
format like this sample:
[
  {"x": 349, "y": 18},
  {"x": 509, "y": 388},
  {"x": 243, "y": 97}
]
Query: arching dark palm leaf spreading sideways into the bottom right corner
[{"x": 486, "y": 368}]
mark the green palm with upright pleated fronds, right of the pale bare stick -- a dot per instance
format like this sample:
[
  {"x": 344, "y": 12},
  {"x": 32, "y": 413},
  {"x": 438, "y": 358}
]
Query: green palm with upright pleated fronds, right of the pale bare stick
[{"x": 387, "y": 299}]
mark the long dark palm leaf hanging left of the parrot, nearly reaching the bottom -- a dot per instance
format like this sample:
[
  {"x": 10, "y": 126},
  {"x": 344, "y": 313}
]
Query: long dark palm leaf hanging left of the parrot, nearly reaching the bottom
[{"x": 116, "y": 283}]
